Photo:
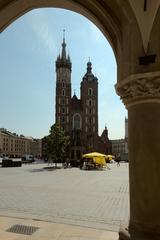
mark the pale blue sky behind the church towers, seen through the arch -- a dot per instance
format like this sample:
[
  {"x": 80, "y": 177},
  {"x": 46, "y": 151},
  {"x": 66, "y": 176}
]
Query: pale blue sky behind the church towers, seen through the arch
[{"x": 29, "y": 48}]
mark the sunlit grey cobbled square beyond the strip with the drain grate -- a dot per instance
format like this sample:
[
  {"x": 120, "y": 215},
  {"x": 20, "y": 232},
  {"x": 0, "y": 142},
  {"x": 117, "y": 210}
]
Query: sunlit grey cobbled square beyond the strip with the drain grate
[{"x": 96, "y": 199}]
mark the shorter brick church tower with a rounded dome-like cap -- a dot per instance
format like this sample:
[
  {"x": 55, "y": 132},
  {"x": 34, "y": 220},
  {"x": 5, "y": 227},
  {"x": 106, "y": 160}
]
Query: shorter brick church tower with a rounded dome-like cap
[{"x": 89, "y": 98}]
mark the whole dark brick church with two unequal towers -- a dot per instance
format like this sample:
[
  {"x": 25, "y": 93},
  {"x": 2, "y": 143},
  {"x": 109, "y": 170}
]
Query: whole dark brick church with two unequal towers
[{"x": 79, "y": 117}]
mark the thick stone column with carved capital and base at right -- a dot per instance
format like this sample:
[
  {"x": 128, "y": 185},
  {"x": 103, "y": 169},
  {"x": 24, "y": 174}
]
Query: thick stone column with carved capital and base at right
[{"x": 141, "y": 96}]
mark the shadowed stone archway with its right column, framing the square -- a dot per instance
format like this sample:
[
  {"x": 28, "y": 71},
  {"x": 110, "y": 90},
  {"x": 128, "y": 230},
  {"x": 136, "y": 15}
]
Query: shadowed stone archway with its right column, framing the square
[{"x": 118, "y": 21}]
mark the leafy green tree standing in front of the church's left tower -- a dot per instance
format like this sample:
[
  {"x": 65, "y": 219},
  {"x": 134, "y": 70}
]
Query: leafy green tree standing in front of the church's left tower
[{"x": 57, "y": 144}]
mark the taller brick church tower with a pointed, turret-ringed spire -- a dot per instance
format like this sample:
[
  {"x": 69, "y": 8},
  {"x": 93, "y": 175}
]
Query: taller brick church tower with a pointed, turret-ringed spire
[{"x": 63, "y": 88}]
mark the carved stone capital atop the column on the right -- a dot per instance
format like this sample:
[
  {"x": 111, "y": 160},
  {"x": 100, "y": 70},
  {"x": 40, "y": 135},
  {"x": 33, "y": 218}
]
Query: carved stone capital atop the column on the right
[{"x": 139, "y": 88}]
